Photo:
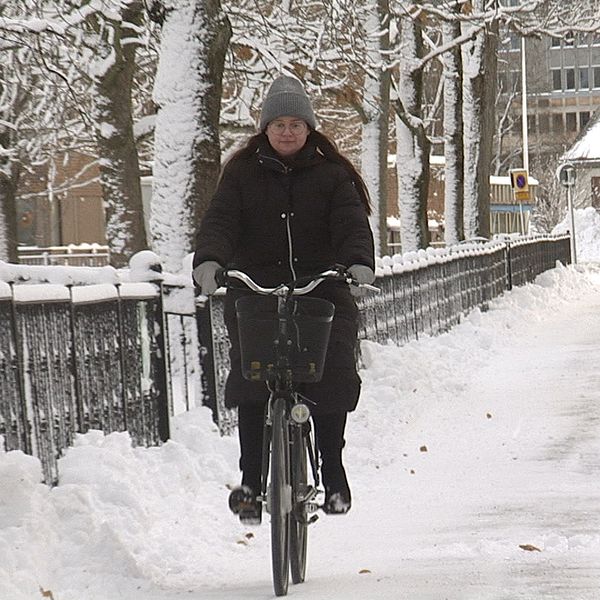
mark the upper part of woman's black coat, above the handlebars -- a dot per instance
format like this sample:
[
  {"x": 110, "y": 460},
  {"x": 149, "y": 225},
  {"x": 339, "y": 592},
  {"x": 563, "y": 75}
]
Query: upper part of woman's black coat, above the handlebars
[{"x": 277, "y": 221}]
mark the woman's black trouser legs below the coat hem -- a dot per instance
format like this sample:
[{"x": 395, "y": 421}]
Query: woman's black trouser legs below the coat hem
[{"x": 329, "y": 430}]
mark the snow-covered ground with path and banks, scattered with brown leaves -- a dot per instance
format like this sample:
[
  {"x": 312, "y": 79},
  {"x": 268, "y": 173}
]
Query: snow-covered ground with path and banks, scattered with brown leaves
[{"x": 474, "y": 459}]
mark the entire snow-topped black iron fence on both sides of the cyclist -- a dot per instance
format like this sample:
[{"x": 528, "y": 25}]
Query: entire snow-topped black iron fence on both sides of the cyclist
[{"x": 123, "y": 356}]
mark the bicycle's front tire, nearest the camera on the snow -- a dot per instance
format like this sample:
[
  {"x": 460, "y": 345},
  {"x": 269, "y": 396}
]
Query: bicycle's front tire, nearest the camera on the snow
[{"x": 280, "y": 498}]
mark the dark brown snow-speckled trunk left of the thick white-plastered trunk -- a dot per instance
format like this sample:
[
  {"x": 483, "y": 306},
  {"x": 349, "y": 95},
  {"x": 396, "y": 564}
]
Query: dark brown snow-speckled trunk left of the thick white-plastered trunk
[{"x": 119, "y": 166}]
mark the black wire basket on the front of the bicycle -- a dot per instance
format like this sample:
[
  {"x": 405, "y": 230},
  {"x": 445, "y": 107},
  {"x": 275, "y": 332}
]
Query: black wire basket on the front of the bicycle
[{"x": 306, "y": 339}]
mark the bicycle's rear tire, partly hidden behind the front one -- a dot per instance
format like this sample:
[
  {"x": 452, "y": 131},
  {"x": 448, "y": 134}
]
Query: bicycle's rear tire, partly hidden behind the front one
[{"x": 298, "y": 522}]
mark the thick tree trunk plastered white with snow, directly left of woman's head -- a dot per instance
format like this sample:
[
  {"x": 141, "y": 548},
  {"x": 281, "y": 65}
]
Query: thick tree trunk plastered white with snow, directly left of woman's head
[{"x": 187, "y": 145}]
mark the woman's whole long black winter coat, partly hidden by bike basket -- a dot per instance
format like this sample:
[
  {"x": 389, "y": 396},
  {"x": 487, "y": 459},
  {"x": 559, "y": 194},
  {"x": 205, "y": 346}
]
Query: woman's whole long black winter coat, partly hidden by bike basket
[{"x": 278, "y": 221}]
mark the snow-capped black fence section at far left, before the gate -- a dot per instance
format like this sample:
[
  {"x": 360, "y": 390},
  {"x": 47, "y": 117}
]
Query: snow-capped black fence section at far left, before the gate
[{"x": 78, "y": 358}]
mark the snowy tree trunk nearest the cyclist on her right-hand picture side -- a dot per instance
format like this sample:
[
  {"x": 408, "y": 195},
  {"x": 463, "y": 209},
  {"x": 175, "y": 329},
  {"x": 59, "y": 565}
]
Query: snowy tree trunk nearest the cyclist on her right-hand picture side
[{"x": 375, "y": 134}]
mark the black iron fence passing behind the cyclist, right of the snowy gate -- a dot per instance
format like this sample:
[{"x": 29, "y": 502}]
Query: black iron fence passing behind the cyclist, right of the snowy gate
[{"x": 422, "y": 294}]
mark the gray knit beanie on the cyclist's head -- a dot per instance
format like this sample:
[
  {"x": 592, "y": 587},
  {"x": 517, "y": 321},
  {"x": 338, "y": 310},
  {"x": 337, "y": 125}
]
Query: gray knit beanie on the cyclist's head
[{"x": 286, "y": 98}]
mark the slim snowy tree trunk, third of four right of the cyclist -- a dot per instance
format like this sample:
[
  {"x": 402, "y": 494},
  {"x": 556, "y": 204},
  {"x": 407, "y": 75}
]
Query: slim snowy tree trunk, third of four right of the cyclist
[{"x": 453, "y": 137}]
